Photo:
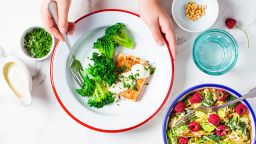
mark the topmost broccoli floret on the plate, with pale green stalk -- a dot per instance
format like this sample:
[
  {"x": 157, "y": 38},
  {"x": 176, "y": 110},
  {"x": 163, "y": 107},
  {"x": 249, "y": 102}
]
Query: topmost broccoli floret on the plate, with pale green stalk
[{"x": 120, "y": 34}]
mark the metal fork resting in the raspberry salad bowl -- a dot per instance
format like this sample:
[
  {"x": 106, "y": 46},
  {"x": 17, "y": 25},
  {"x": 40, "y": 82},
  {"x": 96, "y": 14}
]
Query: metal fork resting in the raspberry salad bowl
[{"x": 191, "y": 114}]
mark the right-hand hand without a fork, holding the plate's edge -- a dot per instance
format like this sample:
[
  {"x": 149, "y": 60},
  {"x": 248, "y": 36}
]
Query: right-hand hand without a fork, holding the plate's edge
[{"x": 153, "y": 14}]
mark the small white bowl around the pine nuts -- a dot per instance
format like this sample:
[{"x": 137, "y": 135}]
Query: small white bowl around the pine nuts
[{"x": 203, "y": 23}]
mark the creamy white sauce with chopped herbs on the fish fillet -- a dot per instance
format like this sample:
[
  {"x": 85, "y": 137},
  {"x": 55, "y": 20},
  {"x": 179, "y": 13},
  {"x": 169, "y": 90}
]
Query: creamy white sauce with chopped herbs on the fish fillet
[{"x": 138, "y": 71}]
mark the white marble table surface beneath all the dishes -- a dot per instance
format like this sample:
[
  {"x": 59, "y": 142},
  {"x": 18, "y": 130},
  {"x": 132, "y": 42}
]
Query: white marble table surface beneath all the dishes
[{"x": 44, "y": 122}]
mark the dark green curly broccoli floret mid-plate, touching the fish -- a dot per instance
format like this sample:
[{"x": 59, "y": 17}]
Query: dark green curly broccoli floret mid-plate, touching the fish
[{"x": 103, "y": 69}]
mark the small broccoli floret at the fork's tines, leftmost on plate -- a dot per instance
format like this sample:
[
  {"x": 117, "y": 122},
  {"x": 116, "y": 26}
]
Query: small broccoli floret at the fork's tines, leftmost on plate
[{"x": 87, "y": 88}]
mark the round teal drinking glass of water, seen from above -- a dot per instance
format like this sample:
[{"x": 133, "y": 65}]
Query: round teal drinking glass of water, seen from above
[{"x": 215, "y": 52}]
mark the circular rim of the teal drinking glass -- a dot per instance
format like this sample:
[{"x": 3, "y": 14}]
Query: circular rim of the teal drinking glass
[{"x": 234, "y": 47}]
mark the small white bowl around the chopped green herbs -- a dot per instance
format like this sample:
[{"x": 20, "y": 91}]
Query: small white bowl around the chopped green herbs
[{"x": 25, "y": 51}]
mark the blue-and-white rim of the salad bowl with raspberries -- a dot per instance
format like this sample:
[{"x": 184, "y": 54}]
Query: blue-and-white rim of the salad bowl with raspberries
[{"x": 166, "y": 117}]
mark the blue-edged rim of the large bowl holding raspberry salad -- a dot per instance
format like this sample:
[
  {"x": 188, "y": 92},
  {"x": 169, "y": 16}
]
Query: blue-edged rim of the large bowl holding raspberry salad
[{"x": 202, "y": 86}]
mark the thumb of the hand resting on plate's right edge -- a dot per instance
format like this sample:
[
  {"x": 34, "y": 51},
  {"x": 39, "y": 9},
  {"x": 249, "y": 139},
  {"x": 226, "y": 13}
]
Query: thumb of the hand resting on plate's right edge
[{"x": 155, "y": 29}]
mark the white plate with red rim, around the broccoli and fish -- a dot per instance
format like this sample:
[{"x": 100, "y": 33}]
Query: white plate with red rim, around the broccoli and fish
[{"x": 125, "y": 115}]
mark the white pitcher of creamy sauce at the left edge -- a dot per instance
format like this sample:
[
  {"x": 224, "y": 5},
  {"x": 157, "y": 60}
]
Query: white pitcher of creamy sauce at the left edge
[{"x": 15, "y": 78}]
